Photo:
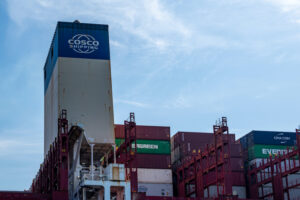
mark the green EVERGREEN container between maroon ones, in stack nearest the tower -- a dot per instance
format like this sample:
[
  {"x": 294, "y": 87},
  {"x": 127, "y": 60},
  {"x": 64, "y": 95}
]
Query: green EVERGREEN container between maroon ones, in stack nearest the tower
[{"x": 149, "y": 146}]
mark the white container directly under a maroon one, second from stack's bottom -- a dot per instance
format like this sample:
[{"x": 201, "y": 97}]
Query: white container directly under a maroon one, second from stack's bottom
[{"x": 154, "y": 175}]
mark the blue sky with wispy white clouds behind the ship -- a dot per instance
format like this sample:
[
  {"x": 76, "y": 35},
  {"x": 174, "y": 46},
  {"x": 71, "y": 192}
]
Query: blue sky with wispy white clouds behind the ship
[{"x": 180, "y": 63}]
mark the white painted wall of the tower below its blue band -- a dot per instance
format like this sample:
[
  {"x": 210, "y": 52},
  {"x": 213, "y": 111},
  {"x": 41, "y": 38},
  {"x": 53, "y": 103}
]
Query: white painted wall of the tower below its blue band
[{"x": 82, "y": 87}]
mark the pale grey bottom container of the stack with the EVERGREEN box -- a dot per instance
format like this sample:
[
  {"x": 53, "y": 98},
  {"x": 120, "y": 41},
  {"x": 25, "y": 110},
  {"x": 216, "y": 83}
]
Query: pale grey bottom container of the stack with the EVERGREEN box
[{"x": 156, "y": 189}]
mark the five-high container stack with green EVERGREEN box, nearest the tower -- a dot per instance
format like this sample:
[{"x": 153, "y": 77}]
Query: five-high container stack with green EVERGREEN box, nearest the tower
[{"x": 153, "y": 159}]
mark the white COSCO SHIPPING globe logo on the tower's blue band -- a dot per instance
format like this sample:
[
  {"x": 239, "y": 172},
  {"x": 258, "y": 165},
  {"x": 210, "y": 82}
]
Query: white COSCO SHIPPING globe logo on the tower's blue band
[{"x": 83, "y": 43}]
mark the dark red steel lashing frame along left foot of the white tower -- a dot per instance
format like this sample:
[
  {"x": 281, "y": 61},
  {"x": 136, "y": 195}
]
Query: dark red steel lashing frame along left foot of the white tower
[{"x": 52, "y": 177}]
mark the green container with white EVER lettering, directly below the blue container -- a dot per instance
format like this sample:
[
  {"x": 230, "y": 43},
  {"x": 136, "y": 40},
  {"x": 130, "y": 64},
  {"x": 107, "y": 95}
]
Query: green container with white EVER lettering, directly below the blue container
[{"x": 264, "y": 151}]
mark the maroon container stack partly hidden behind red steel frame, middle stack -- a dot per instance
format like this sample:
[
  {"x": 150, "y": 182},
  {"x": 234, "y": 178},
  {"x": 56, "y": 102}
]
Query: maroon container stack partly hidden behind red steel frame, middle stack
[{"x": 187, "y": 144}]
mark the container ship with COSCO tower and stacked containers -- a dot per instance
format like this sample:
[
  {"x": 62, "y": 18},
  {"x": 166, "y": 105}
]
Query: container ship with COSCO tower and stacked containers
[{"x": 87, "y": 156}]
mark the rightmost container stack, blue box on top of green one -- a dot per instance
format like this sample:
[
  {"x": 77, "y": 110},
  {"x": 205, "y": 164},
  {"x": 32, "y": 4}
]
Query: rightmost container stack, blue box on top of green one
[{"x": 258, "y": 146}]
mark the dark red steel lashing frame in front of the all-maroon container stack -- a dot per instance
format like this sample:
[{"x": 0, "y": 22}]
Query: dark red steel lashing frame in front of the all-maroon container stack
[{"x": 210, "y": 168}]
